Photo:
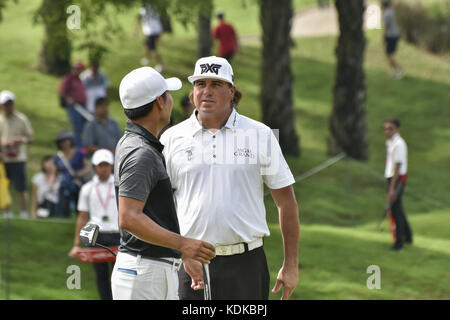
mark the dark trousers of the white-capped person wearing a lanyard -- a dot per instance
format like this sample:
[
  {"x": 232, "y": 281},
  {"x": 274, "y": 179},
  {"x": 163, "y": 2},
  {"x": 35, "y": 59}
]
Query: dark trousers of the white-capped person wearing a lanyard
[{"x": 103, "y": 270}]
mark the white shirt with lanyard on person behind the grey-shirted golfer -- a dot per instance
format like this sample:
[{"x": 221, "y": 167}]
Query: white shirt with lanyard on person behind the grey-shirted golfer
[{"x": 99, "y": 200}]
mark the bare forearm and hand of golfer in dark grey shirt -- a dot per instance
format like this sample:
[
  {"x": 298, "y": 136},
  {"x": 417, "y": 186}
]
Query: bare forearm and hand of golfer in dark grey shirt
[{"x": 133, "y": 220}]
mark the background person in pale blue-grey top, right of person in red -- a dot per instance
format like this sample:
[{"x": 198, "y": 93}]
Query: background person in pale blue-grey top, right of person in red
[{"x": 96, "y": 85}]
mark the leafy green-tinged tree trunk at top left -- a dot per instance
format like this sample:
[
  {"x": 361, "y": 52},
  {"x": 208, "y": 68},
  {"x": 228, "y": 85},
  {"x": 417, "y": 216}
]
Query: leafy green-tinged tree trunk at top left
[{"x": 56, "y": 47}]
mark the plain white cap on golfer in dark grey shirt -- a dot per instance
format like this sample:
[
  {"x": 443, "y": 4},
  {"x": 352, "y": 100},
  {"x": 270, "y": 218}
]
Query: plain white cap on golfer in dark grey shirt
[{"x": 143, "y": 85}]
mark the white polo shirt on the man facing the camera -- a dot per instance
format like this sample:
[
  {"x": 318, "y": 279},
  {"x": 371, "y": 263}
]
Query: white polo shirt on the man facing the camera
[{"x": 218, "y": 178}]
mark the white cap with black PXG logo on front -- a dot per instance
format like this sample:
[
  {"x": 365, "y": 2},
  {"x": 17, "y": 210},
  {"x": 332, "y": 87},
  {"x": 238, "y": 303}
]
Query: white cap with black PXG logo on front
[{"x": 212, "y": 68}]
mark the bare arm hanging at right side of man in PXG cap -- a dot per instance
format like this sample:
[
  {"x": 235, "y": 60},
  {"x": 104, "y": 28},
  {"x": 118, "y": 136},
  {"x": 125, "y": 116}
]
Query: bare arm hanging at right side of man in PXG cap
[{"x": 290, "y": 229}]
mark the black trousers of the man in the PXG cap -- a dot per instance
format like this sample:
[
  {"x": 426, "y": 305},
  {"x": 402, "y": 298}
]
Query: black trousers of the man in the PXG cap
[{"x": 238, "y": 277}]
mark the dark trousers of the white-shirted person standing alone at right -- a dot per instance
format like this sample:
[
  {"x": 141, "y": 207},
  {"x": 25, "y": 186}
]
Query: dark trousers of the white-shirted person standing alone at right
[{"x": 402, "y": 229}]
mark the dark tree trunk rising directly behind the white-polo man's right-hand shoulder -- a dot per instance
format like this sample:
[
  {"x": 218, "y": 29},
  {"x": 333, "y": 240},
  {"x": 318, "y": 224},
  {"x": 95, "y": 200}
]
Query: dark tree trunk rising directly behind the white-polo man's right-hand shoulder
[{"x": 276, "y": 75}]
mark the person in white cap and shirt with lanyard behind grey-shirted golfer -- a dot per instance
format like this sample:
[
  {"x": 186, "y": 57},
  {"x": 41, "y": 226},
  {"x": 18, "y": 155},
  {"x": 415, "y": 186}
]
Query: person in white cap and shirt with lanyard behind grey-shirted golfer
[{"x": 97, "y": 205}]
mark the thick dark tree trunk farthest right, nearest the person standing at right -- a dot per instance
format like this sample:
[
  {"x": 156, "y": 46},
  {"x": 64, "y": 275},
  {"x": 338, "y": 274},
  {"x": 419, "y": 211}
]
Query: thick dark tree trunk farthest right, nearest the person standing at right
[{"x": 348, "y": 119}]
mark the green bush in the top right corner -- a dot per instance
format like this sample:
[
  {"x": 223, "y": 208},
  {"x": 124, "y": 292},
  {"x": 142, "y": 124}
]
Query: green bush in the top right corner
[{"x": 425, "y": 27}]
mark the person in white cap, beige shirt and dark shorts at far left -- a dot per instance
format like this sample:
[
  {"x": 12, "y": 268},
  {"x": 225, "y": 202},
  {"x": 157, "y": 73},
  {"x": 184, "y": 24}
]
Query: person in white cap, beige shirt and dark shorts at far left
[{"x": 15, "y": 133}]
